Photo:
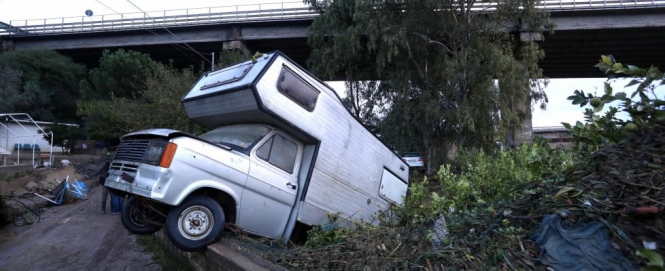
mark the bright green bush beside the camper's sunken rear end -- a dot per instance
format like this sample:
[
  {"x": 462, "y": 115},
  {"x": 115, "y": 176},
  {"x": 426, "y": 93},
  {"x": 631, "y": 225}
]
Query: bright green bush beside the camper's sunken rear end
[{"x": 482, "y": 181}]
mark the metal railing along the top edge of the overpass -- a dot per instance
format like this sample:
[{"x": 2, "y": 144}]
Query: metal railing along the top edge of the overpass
[{"x": 286, "y": 11}]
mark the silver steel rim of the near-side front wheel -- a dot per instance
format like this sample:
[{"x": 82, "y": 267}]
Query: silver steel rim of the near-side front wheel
[{"x": 195, "y": 222}]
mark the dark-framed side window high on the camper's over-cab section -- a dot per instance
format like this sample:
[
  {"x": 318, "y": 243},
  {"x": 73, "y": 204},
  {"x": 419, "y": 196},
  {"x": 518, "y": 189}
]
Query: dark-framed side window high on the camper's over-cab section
[{"x": 297, "y": 89}]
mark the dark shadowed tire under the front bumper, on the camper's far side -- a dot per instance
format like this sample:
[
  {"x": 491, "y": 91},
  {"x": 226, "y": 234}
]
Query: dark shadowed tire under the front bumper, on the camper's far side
[{"x": 135, "y": 217}]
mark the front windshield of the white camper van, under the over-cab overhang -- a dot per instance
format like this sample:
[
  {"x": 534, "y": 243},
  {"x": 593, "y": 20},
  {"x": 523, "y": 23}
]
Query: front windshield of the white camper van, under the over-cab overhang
[{"x": 239, "y": 137}]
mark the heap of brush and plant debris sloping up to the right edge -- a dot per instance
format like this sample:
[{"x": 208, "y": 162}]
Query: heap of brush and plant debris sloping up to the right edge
[{"x": 620, "y": 190}]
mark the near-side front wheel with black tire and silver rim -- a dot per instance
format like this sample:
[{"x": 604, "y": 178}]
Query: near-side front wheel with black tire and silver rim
[{"x": 196, "y": 223}]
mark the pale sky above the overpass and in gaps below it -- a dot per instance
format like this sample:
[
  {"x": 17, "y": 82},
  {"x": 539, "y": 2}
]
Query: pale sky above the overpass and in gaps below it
[{"x": 558, "y": 109}]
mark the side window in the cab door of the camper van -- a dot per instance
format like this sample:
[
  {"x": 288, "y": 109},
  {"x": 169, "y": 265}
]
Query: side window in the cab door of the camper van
[{"x": 280, "y": 152}]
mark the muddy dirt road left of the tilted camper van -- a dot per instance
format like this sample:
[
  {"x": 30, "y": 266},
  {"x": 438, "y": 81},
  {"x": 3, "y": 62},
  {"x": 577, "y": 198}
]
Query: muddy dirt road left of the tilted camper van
[{"x": 74, "y": 236}]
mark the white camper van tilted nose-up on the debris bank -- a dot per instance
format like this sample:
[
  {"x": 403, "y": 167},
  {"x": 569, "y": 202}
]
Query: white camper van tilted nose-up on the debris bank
[{"x": 282, "y": 154}]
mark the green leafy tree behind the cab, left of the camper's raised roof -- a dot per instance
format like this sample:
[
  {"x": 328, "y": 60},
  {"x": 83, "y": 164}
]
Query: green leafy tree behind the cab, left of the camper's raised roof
[{"x": 151, "y": 99}]
